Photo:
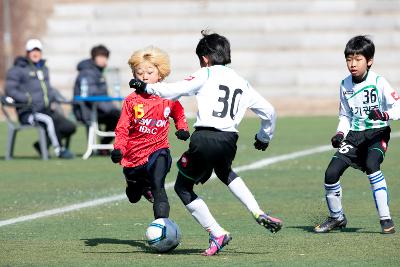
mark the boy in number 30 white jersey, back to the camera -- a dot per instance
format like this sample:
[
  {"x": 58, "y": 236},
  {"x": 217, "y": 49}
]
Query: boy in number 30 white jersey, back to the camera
[{"x": 223, "y": 97}]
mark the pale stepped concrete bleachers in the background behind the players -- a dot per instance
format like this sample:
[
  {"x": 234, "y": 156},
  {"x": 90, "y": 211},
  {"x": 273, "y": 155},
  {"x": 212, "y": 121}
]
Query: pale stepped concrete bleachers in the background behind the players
[{"x": 291, "y": 51}]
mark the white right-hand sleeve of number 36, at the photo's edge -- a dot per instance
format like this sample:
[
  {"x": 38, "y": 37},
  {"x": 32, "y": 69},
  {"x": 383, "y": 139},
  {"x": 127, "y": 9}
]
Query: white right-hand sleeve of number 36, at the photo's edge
[{"x": 391, "y": 101}]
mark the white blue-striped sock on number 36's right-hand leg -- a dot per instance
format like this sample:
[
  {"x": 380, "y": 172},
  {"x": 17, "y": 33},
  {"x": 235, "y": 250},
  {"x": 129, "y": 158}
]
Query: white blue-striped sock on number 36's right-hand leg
[{"x": 379, "y": 191}]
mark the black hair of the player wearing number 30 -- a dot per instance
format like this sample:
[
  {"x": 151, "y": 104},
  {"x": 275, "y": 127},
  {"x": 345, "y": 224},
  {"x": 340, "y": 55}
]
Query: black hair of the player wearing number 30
[{"x": 214, "y": 46}]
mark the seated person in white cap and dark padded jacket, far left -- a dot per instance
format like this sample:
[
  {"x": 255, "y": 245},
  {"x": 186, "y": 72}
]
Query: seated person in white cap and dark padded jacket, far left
[{"x": 27, "y": 82}]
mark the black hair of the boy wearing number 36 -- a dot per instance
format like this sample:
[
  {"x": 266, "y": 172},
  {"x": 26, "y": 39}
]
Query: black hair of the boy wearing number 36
[{"x": 361, "y": 45}]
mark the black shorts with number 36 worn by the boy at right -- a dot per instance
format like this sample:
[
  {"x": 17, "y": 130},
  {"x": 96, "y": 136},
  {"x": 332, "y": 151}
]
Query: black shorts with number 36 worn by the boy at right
[{"x": 354, "y": 149}]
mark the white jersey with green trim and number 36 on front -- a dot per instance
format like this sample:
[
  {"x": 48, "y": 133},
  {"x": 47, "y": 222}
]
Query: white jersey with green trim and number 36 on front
[{"x": 358, "y": 99}]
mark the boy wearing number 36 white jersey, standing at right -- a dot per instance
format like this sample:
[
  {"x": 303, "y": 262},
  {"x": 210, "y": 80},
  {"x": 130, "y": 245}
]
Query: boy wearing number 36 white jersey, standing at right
[{"x": 367, "y": 102}]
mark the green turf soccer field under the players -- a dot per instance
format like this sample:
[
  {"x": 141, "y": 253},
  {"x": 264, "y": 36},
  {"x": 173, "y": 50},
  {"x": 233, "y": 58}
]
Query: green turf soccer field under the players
[{"x": 113, "y": 234}]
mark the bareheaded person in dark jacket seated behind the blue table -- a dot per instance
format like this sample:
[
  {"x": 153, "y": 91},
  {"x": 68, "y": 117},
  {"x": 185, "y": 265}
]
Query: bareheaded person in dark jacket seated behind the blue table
[{"x": 92, "y": 72}]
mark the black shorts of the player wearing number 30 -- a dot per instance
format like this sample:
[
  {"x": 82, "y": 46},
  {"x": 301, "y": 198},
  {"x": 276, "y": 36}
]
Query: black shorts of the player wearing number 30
[{"x": 209, "y": 149}]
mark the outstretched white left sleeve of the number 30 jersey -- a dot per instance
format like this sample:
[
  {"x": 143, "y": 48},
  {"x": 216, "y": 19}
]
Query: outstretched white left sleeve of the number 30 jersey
[{"x": 187, "y": 87}]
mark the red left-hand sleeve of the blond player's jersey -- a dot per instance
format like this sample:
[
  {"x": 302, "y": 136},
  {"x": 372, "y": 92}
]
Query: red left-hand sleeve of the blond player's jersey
[{"x": 122, "y": 128}]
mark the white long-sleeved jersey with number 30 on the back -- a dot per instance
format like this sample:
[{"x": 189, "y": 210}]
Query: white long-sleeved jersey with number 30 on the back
[{"x": 222, "y": 98}]
